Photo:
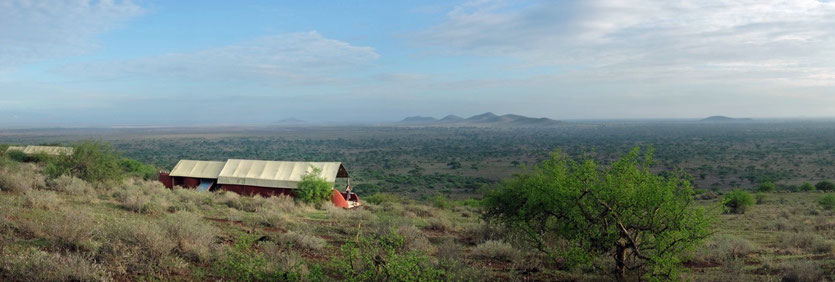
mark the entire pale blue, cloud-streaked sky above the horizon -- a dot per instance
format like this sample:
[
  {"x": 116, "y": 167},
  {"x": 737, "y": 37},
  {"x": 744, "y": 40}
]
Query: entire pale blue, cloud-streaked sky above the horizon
[{"x": 144, "y": 62}]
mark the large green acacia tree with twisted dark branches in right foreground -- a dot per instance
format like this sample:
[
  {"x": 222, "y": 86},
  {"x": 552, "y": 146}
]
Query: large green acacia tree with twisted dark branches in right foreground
[{"x": 578, "y": 211}]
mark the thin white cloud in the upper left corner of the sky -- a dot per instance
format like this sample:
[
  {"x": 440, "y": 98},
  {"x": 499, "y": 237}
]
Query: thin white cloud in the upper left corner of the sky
[{"x": 33, "y": 31}]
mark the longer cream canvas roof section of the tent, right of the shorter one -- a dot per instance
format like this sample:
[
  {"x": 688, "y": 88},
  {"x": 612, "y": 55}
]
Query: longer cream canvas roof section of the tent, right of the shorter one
[{"x": 276, "y": 174}]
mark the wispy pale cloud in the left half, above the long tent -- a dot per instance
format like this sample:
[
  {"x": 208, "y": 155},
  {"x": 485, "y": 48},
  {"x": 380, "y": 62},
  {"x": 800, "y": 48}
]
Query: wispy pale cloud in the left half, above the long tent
[{"x": 294, "y": 58}]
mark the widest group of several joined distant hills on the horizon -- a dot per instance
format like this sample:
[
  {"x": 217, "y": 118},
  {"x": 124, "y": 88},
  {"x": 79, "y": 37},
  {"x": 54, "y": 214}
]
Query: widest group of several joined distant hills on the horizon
[{"x": 483, "y": 120}]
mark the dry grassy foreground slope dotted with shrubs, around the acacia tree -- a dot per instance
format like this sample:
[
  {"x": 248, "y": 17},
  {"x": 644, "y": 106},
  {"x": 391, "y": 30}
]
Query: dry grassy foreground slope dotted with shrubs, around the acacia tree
[{"x": 66, "y": 229}]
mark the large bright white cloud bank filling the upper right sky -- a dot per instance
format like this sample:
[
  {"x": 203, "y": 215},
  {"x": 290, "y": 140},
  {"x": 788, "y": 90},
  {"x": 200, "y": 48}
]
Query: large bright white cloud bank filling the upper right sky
[{"x": 714, "y": 41}]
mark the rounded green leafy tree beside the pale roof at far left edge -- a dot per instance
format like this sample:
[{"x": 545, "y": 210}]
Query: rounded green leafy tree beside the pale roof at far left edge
[{"x": 91, "y": 161}]
